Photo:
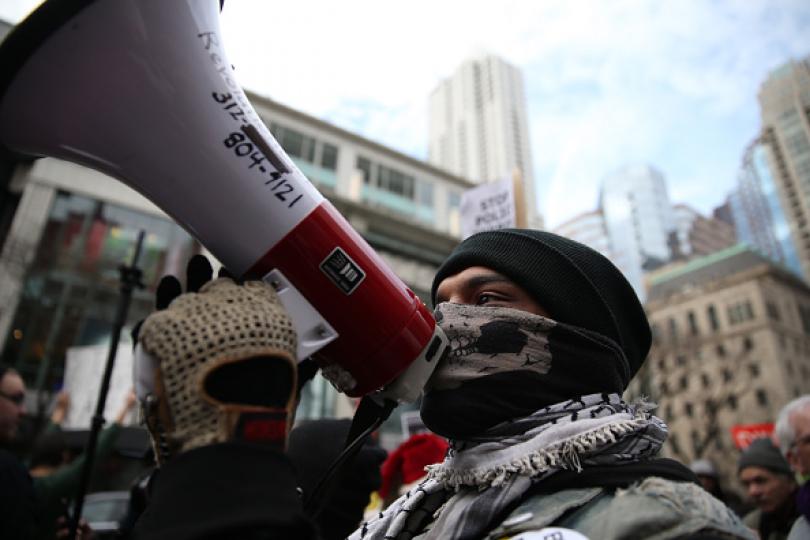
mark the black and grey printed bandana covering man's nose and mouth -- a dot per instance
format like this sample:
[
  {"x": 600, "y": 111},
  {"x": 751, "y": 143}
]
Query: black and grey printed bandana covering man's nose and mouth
[{"x": 505, "y": 363}]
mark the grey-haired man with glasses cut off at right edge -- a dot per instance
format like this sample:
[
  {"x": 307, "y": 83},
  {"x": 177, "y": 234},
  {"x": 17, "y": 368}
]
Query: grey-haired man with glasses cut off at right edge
[{"x": 792, "y": 432}]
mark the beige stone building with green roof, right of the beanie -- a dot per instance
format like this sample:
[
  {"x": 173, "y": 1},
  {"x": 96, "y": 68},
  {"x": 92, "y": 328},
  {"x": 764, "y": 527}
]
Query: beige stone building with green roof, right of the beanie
[{"x": 731, "y": 346}]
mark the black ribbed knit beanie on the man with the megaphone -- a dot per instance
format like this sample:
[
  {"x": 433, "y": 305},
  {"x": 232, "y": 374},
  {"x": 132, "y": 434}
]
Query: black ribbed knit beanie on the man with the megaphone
[{"x": 574, "y": 283}]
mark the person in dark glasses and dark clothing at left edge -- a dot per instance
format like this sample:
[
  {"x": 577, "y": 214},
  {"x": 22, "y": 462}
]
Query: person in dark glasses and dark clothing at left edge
[{"x": 17, "y": 503}]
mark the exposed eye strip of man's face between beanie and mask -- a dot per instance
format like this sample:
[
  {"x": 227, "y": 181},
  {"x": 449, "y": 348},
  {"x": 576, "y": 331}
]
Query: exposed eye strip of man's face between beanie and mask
[{"x": 480, "y": 286}]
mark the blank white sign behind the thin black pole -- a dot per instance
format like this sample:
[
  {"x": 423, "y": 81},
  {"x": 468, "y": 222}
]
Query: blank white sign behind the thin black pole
[{"x": 84, "y": 368}]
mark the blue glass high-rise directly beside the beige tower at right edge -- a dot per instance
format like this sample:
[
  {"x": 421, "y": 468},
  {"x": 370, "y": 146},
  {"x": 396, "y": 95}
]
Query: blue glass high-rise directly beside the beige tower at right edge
[{"x": 757, "y": 214}]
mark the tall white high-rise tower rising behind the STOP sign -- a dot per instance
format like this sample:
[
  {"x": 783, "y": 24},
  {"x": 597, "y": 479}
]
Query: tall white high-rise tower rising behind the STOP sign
[{"x": 479, "y": 126}]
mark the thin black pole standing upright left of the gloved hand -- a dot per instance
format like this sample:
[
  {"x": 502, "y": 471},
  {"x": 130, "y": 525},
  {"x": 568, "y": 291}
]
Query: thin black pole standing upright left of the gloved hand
[{"x": 130, "y": 278}]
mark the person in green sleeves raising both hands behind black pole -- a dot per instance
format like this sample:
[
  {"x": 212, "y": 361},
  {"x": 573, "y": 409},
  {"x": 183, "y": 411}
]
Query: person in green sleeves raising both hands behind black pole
[{"x": 56, "y": 477}]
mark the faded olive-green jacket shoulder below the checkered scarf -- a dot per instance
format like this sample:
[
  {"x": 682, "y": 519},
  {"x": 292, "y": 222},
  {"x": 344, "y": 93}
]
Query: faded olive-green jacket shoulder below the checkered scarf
[{"x": 653, "y": 509}]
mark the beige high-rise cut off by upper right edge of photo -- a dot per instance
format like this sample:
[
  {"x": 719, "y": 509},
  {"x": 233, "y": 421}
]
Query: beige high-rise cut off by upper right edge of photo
[{"x": 784, "y": 100}]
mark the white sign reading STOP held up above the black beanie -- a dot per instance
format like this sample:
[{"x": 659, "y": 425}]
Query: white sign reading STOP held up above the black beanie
[{"x": 488, "y": 207}]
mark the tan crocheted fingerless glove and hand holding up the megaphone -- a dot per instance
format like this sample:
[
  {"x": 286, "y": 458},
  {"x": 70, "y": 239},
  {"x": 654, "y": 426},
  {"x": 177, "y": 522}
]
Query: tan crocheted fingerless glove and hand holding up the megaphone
[{"x": 216, "y": 364}]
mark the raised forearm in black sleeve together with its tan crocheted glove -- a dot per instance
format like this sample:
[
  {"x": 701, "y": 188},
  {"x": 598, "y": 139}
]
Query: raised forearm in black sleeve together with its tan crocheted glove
[{"x": 216, "y": 376}]
